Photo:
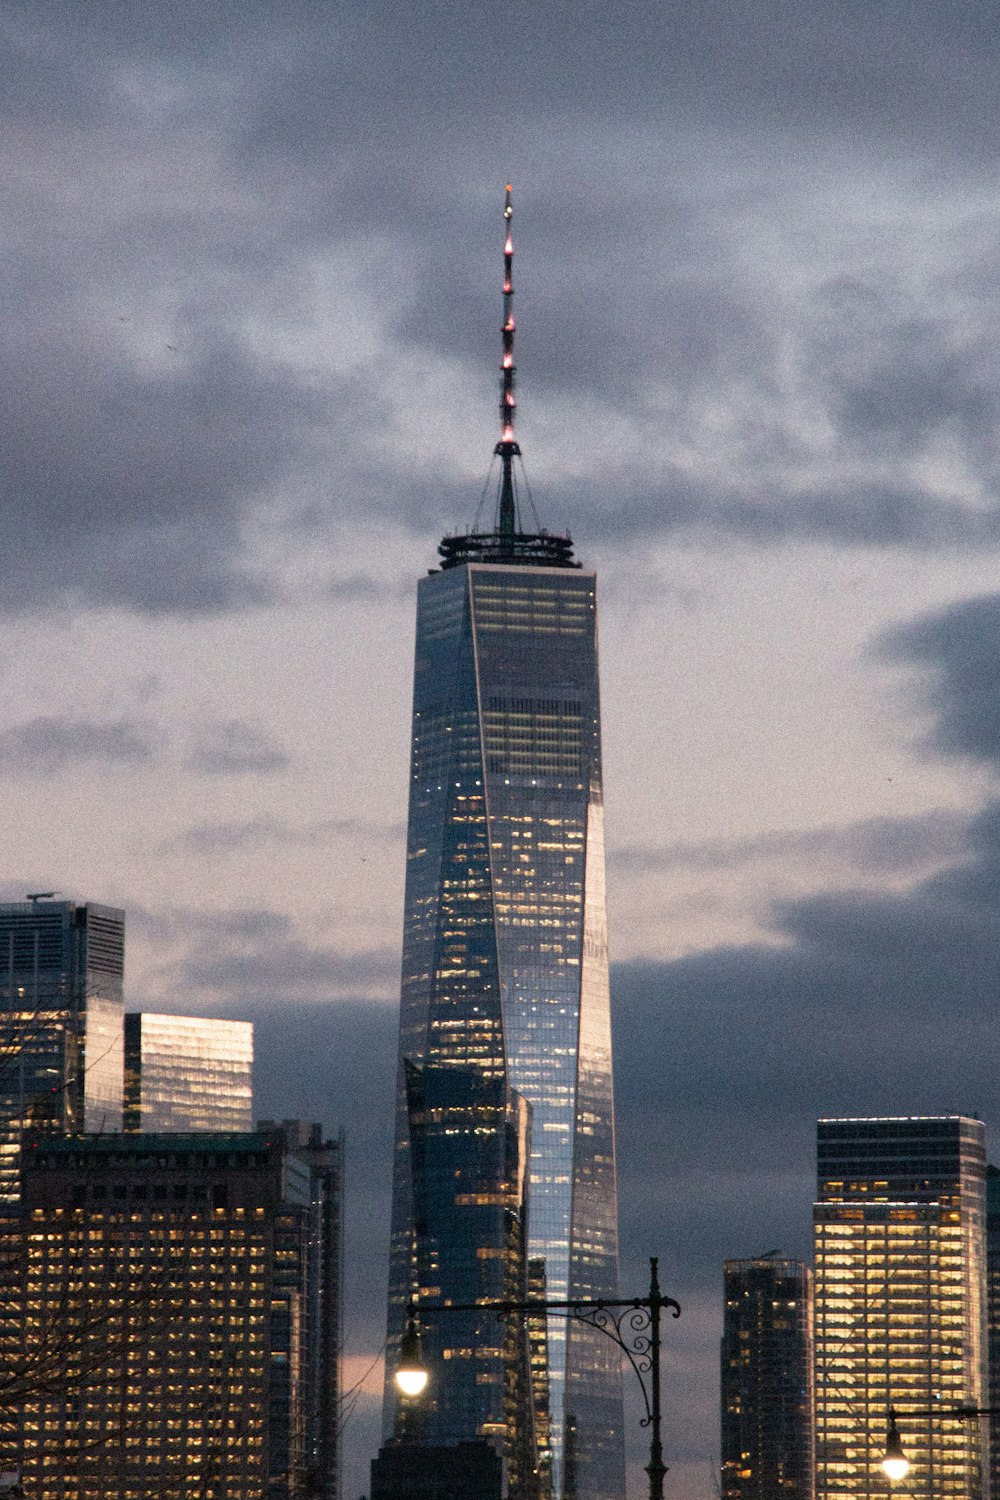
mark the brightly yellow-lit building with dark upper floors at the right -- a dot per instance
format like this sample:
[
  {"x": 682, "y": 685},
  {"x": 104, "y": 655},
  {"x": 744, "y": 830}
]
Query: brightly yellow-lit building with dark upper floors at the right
[{"x": 900, "y": 1303}]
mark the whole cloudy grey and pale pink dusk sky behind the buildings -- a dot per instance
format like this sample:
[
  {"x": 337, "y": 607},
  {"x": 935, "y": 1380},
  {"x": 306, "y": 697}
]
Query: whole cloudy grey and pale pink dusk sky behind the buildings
[{"x": 251, "y": 263}]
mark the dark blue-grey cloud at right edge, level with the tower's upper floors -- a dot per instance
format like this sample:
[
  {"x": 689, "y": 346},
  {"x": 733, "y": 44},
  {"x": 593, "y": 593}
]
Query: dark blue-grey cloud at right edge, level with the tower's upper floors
[{"x": 959, "y": 652}]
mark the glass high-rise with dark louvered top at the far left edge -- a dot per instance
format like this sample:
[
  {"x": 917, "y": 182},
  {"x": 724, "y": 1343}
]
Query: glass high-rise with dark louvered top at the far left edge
[{"x": 61, "y": 1024}]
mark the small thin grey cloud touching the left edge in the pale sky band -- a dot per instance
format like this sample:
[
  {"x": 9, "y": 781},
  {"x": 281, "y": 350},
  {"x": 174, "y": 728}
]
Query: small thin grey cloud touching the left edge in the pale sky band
[{"x": 55, "y": 743}]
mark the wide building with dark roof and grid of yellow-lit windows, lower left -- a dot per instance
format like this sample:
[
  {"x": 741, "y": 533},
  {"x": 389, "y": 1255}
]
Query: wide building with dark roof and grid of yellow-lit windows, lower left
[{"x": 157, "y": 1321}]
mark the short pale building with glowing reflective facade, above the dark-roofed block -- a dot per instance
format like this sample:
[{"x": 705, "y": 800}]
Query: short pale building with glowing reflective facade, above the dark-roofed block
[{"x": 188, "y": 1073}]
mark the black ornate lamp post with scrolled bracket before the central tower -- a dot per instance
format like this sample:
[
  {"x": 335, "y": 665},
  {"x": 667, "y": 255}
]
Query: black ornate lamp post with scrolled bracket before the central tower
[{"x": 633, "y": 1324}]
